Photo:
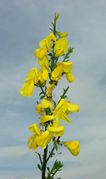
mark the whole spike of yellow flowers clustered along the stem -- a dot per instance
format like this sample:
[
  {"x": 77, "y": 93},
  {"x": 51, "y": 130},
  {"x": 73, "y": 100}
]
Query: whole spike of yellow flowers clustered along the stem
[{"x": 51, "y": 69}]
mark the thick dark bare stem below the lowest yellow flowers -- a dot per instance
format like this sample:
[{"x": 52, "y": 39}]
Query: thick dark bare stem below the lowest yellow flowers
[{"x": 44, "y": 163}]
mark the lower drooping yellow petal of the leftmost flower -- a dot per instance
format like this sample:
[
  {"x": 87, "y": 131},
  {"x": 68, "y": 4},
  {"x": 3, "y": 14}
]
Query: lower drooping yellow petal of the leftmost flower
[{"x": 27, "y": 89}]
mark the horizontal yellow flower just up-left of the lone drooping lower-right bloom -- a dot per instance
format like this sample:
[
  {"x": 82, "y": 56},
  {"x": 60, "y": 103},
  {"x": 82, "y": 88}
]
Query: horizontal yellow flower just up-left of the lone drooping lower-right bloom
[{"x": 56, "y": 131}]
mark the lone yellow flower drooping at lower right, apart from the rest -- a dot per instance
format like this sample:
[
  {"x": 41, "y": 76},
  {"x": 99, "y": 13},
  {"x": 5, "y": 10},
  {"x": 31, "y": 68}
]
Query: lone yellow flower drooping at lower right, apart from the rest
[{"x": 73, "y": 147}]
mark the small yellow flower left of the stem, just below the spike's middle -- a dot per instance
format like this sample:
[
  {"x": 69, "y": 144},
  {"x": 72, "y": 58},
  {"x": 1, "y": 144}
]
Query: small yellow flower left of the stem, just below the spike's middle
[{"x": 40, "y": 108}]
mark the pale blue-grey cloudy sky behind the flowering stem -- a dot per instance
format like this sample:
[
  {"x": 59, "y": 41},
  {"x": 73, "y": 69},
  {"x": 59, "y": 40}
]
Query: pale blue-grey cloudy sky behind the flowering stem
[{"x": 22, "y": 24}]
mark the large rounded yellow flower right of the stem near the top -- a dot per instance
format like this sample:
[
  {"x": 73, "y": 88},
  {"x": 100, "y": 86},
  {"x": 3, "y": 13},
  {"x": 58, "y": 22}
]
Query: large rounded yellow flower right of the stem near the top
[{"x": 61, "y": 46}]
